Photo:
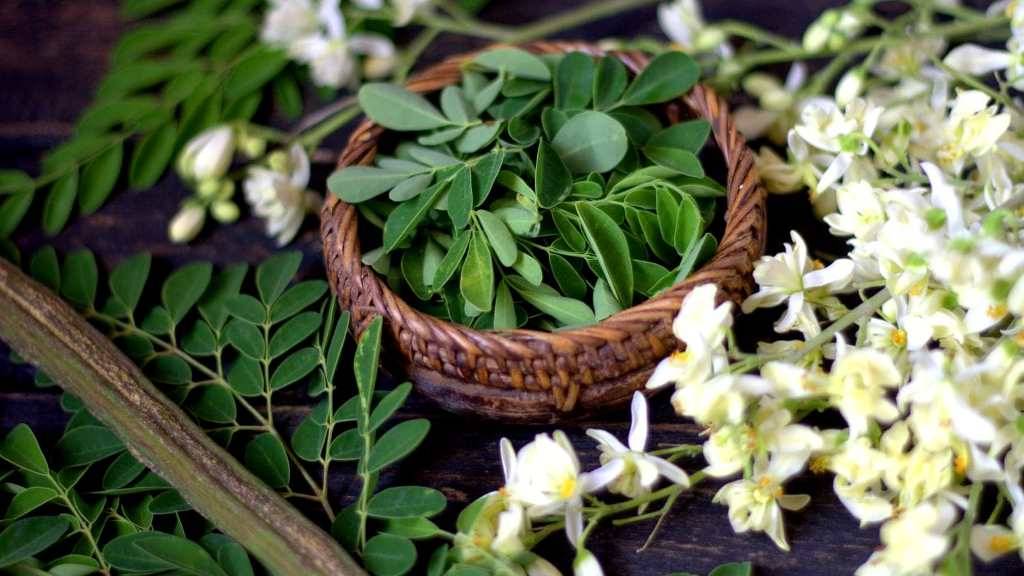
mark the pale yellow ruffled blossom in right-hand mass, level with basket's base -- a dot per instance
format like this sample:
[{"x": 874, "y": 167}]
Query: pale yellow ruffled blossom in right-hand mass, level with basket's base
[{"x": 858, "y": 386}]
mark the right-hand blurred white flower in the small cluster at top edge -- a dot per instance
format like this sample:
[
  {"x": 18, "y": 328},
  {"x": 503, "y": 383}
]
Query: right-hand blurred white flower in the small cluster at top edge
[{"x": 329, "y": 53}]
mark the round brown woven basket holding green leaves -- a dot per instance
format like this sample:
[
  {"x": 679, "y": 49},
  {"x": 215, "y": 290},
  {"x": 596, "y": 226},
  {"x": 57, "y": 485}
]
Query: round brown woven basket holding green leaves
[{"x": 527, "y": 376}]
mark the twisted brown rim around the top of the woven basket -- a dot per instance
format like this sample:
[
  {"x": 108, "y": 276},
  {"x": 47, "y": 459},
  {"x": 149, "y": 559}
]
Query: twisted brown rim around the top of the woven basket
[{"x": 702, "y": 102}]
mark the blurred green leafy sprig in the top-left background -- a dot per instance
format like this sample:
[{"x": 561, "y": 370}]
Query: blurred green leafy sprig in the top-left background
[{"x": 199, "y": 65}]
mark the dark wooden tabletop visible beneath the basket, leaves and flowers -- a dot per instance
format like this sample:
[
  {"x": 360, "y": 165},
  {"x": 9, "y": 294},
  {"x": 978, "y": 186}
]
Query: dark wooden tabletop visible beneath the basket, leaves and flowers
[{"x": 53, "y": 55}]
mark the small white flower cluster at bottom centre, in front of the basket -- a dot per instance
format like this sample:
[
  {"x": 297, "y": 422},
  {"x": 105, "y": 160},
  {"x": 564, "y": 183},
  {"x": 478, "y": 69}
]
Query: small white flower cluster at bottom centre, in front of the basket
[{"x": 545, "y": 487}]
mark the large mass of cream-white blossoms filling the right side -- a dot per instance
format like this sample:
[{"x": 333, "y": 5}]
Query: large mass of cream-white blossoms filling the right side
[{"x": 917, "y": 167}]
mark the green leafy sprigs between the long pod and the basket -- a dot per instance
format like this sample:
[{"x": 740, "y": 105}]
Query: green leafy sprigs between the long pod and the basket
[{"x": 226, "y": 344}]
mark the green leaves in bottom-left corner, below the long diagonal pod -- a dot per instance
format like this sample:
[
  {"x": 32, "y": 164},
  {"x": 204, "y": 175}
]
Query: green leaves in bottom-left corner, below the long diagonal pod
[{"x": 88, "y": 507}]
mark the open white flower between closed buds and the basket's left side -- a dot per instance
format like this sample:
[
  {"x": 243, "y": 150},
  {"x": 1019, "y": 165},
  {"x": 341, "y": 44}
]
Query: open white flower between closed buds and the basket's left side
[{"x": 280, "y": 197}]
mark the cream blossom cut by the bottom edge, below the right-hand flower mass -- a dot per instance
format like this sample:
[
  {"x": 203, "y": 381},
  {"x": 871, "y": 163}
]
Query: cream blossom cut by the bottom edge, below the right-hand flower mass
[{"x": 914, "y": 542}]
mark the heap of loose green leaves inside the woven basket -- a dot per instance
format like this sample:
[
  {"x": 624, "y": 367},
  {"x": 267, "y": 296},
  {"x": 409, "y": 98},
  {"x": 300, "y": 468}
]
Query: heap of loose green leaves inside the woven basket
[{"x": 536, "y": 173}]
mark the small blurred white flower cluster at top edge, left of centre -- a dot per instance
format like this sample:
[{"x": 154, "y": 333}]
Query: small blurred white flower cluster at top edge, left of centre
[{"x": 317, "y": 36}]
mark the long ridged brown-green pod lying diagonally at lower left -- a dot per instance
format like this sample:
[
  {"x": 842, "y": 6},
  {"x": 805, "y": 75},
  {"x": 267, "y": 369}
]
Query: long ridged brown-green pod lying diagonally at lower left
[{"x": 48, "y": 333}]
